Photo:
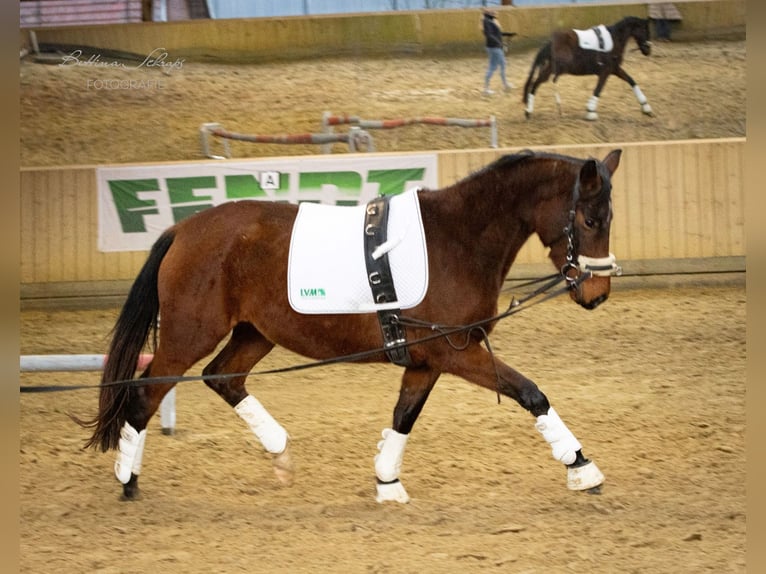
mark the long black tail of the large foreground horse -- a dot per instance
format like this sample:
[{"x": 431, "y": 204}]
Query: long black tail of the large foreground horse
[{"x": 136, "y": 321}]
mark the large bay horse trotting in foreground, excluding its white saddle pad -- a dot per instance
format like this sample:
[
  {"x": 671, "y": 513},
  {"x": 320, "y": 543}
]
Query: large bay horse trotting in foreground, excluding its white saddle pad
[{"x": 223, "y": 271}]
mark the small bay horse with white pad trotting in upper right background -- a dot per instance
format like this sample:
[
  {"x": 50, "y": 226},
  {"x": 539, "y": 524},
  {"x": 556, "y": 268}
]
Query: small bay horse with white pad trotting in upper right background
[{"x": 562, "y": 54}]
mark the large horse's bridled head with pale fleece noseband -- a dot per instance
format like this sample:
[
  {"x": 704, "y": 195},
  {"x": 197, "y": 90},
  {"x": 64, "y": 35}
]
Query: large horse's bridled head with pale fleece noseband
[{"x": 583, "y": 256}]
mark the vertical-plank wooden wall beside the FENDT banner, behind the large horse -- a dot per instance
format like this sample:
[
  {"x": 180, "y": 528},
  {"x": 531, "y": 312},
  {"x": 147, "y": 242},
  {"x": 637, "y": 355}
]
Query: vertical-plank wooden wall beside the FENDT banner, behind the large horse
[{"x": 678, "y": 207}]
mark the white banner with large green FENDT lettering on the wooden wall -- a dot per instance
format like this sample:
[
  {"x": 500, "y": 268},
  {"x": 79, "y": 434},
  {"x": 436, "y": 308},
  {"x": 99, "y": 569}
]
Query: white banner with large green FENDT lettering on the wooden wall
[{"x": 137, "y": 203}]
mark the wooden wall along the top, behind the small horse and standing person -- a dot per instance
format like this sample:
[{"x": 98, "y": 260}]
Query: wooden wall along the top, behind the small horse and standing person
[{"x": 257, "y": 39}]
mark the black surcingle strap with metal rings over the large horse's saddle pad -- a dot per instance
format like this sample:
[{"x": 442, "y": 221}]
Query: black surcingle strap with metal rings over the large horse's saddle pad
[{"x": 382, "y": 281}]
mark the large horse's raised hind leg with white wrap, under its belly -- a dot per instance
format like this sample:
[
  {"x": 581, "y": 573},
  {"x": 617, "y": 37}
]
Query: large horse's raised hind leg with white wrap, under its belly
[{"x": 244, "y": 349}]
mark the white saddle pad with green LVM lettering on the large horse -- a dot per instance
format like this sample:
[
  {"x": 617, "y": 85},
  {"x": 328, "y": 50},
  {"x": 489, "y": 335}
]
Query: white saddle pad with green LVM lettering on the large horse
[{"x": 326, "y": 272}]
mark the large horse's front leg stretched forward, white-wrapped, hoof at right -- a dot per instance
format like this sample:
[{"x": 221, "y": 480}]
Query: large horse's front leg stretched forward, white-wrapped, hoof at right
[{"x": 478, "y": 366}]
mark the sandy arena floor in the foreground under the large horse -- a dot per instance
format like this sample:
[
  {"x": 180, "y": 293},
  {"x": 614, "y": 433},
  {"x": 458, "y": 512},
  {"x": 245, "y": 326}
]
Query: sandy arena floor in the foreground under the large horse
[{"x": 652, "y": 383}]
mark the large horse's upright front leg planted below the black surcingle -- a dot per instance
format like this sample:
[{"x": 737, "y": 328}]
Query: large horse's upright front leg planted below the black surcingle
[{"x": 416, "y": 386}]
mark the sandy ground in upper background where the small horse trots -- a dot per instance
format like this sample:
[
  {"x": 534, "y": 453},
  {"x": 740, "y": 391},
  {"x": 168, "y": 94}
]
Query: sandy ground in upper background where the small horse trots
[{"x": 78, "y": 114}]
